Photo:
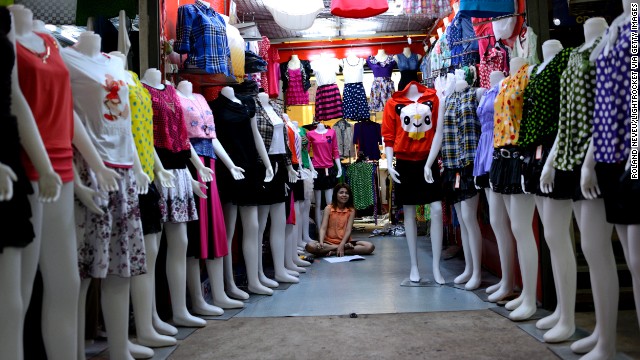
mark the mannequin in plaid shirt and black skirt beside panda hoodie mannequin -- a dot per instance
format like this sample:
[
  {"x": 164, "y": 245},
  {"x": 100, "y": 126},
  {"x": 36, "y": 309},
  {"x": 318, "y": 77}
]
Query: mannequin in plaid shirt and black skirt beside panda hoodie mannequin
[{"x": 467, "y": 209}]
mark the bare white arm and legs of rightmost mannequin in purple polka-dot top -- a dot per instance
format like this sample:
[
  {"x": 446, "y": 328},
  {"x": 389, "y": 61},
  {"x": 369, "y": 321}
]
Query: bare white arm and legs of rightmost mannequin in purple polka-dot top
[{"x": 597, "y": 246}]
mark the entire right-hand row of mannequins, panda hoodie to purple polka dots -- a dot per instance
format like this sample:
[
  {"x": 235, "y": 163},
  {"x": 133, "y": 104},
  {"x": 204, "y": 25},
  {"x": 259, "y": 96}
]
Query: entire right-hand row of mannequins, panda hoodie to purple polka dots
[{"x": 553, "y": 136}]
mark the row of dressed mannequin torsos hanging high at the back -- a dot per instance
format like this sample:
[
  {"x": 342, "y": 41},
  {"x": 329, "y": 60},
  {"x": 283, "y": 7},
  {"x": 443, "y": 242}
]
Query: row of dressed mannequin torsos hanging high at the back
[{"x": 353, "y": 104}]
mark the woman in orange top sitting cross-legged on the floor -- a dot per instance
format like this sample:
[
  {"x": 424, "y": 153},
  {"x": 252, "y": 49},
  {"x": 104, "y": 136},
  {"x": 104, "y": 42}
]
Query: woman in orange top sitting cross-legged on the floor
[{"x": 335, "y": 231}]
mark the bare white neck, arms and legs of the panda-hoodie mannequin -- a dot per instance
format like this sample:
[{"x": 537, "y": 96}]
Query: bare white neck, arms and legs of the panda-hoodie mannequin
[{"x": 435, "y": 207}]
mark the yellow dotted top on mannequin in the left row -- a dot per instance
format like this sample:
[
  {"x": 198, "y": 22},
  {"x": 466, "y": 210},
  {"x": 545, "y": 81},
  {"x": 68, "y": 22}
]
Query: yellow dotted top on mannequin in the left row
[{"x": 142, "y": 124}]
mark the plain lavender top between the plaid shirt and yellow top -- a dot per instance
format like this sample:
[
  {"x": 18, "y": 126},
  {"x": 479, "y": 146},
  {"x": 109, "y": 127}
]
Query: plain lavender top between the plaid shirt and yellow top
[{"x": 484, "y": 154}]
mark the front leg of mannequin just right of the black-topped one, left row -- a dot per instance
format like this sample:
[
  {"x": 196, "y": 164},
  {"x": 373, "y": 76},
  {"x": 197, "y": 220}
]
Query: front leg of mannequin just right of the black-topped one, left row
[{"x": 277, "y": 240}]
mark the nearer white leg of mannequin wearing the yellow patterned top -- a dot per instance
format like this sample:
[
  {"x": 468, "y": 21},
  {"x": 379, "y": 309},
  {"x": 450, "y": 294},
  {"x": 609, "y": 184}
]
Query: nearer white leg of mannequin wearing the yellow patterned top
[{"x": 520, "y": 208}]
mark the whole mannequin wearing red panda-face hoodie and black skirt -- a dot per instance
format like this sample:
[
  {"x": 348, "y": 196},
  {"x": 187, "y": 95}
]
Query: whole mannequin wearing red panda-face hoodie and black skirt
[{"x": 414, "y": 93}]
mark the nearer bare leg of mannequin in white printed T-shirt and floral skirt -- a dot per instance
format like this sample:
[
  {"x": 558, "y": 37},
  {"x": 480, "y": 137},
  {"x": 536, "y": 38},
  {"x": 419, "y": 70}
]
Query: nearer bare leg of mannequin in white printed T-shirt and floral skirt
[{"x": 115, "y": 307}]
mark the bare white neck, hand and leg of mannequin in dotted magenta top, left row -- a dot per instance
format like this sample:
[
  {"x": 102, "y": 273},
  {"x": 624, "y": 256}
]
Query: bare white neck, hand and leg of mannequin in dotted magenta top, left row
[{"x": 177, "y": 240}]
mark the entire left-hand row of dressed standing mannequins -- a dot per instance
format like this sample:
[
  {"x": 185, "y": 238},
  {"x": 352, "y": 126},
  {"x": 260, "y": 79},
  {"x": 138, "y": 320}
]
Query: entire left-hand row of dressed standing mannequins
[{"x": 128, "y": 157}]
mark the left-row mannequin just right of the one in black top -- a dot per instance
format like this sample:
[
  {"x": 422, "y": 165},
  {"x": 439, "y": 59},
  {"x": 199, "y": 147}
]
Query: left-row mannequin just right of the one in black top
[{"x": 275, "y": 209}]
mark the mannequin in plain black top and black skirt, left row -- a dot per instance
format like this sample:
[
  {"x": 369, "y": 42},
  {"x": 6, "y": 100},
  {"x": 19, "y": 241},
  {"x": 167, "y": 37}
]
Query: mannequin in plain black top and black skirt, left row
[{"x": 248, "y": 211}]
